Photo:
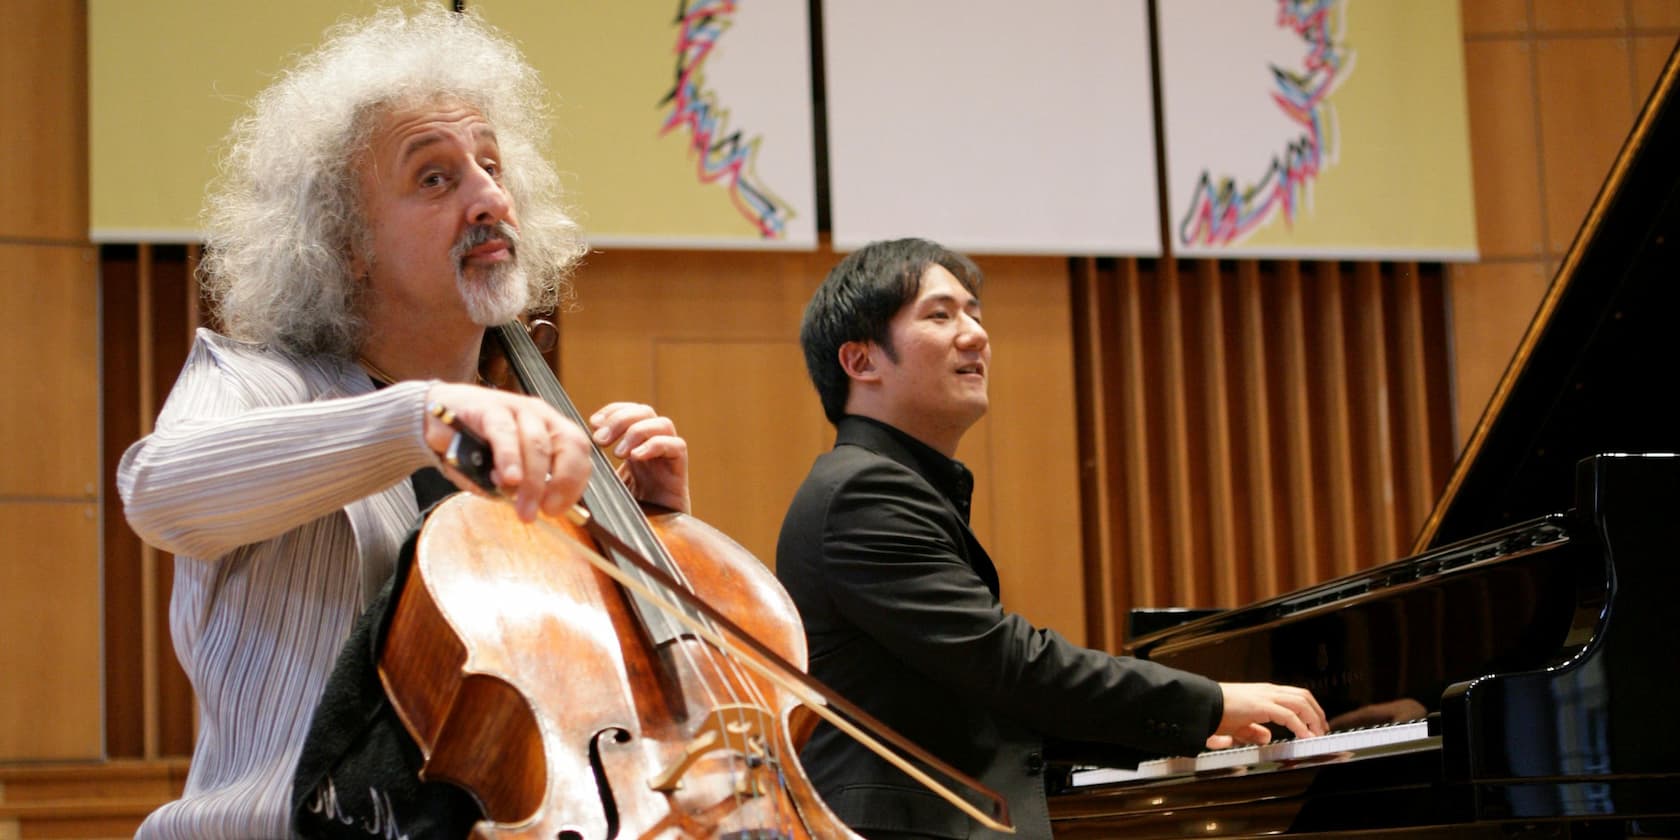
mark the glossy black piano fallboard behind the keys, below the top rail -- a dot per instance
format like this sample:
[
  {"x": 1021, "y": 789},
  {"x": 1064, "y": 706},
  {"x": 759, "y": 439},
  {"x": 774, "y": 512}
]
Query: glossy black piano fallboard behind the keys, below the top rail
[{"x": 1387, "y": 644}]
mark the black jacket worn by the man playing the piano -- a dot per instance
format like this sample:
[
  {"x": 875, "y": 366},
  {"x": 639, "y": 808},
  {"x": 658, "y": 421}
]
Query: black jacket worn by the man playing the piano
[{"x": 903, "y": 617}]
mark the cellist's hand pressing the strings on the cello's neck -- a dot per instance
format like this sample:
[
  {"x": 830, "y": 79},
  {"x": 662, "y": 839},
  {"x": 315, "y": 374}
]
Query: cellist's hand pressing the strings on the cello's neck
[{"x": 656, "y": 461}]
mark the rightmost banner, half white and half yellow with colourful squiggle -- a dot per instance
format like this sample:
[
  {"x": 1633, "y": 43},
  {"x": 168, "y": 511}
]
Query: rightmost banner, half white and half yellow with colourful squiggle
[{"x": 1316, "y": 129}]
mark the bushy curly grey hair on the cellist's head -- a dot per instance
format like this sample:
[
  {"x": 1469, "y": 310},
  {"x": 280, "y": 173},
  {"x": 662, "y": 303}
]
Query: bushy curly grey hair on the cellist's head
[{"x": 285, "y": 214}]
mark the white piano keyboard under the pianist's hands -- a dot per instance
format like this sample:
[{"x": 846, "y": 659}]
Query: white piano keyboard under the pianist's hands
[{"x": 1242, "y": 757}]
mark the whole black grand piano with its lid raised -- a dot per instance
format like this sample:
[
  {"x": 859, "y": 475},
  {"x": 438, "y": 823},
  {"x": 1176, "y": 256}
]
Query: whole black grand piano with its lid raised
[{"x": 1513, "y": 678}]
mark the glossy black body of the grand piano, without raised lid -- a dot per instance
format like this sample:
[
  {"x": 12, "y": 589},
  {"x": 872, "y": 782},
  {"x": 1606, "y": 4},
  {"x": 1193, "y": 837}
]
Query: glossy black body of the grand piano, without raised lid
[{"x": 1538, "y": 653}]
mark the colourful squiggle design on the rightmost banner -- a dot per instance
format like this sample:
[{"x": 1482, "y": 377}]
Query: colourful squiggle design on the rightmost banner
[{"x": 1219, "y": 211}]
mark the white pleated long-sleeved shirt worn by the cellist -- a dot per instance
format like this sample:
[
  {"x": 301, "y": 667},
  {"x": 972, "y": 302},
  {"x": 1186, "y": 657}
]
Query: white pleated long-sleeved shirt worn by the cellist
[{"x": 280, "y": 485}]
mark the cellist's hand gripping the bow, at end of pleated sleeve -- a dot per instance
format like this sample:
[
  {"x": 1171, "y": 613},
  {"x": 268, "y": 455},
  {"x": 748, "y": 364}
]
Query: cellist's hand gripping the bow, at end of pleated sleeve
[{"x": 542, "y": 458}]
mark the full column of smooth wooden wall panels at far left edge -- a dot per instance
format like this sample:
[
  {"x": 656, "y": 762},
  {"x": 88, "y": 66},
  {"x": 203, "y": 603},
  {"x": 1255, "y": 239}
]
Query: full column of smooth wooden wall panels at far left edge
[{"x": 50, "y": 342}]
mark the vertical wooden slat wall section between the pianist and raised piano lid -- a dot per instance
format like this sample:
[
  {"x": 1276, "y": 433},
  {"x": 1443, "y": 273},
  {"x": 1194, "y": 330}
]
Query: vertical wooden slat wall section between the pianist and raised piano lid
[{"x": 1256, "y": 426}]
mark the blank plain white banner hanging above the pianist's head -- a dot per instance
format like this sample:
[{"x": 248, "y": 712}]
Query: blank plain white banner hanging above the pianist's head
[{"x": 992, "y": 127}]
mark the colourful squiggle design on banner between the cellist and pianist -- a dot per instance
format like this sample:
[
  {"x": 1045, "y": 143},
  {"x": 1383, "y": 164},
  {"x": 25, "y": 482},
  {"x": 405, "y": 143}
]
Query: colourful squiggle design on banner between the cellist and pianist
[{"x": 723, "y": 157}]
